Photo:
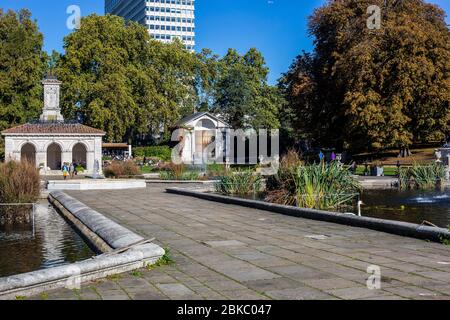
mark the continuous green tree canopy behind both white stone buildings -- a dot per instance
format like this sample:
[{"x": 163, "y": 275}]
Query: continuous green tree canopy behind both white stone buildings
[{"x": 116, "y": 78}]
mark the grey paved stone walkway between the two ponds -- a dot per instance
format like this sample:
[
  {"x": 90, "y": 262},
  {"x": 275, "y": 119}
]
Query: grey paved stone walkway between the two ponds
[{"x": 230, "y": 252}]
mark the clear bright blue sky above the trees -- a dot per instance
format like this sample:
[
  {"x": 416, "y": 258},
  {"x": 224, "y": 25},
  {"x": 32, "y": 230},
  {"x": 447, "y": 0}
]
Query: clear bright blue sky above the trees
[{"x": 276, "y": 27}]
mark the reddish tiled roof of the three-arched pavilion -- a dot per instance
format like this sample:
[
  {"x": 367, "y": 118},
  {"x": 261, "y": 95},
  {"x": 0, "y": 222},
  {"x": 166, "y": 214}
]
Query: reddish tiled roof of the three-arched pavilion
[{"x": 52, "y": 128}]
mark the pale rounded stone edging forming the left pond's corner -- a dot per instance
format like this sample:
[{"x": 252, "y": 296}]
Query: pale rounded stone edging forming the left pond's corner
[{"x": 104, "y": 234}]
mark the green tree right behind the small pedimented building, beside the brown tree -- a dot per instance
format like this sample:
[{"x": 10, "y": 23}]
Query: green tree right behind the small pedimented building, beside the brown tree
[{"x": 241, "y": 92}]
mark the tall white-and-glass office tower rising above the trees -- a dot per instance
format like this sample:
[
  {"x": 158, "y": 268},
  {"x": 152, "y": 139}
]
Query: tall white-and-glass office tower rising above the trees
[{"x": 165, "y": 19}]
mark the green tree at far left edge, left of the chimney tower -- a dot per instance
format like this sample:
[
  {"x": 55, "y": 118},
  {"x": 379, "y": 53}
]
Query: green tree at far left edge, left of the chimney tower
[{"x": 22, "y": 67}]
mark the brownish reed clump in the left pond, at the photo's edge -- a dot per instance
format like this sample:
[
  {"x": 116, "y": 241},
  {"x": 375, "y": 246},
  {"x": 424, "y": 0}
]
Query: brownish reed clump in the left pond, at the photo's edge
[{"x": 19, "y": 183}]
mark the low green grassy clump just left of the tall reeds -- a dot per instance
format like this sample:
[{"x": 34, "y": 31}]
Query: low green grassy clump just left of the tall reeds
[{"x": 241, "y": 183}]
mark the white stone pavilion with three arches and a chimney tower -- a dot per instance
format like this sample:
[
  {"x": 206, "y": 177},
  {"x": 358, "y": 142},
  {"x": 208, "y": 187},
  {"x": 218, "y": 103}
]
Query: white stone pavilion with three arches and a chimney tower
[{"x": 50, "y": 142}]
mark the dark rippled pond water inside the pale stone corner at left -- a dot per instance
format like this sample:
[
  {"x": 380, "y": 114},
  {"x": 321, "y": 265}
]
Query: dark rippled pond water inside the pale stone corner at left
[{"x": 53, "y": 243}]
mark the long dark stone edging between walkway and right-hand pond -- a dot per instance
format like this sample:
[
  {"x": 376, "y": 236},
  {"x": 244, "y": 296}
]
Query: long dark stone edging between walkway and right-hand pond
[{"x": 388, "y": 226}]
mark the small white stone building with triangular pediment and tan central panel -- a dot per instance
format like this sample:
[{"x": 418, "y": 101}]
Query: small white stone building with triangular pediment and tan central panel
[{"x": 201, "y": 129}]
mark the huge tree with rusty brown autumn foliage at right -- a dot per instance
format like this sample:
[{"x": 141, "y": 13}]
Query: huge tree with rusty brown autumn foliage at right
[{"x": 366, "y": 88}]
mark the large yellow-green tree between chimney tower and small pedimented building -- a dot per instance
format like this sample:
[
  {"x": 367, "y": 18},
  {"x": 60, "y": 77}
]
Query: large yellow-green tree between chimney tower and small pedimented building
[{"x": 117, "y": 79}]
